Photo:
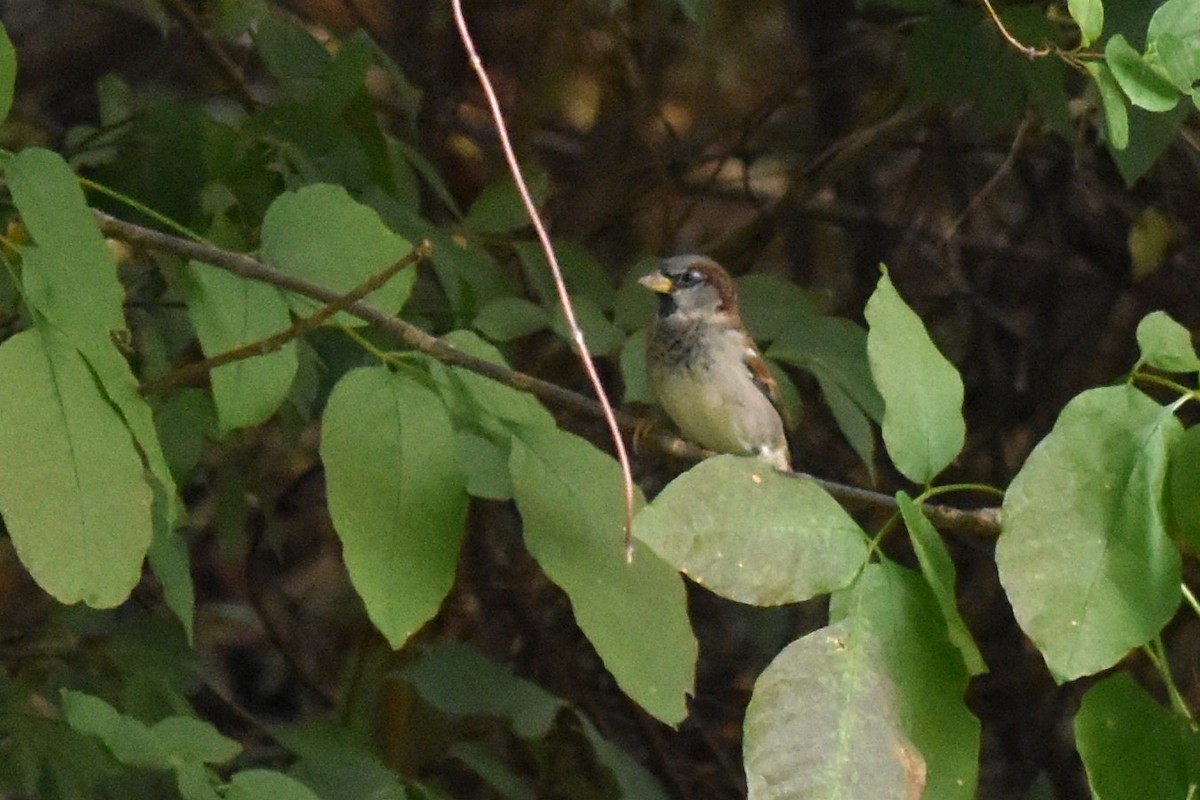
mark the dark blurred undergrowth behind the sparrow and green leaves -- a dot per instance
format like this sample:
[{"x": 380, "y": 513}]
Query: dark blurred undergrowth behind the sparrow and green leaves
[{"x": 808, "y": 141}]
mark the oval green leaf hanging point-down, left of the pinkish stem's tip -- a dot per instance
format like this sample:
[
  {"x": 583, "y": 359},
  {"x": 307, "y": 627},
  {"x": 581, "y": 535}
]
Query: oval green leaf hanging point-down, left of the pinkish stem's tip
[{"x": 397, "y": 497}]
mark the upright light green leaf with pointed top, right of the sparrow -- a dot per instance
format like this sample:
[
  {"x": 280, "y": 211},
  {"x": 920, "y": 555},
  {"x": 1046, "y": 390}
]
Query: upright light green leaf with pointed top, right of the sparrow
[{"x": 923, "y": 425}]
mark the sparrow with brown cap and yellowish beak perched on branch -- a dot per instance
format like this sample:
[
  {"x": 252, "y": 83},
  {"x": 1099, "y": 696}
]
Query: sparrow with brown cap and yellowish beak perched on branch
[{"x": 705, "y": 369}]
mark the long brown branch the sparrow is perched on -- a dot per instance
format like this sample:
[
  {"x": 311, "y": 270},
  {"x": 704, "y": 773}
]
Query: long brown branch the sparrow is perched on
[{"x": 982, "y": 524}]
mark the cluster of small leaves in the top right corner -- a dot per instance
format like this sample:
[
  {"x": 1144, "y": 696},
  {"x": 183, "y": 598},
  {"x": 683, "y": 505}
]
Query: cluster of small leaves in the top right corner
[{"x": 956, "y": 56}]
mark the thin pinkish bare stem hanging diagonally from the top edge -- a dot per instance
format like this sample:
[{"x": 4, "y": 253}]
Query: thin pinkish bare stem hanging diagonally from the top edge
[{"x": 565, "y": 298}]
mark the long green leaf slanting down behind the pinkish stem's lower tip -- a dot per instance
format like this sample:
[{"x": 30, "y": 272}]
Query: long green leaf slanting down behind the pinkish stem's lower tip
[{"x": 572, "y": 504}]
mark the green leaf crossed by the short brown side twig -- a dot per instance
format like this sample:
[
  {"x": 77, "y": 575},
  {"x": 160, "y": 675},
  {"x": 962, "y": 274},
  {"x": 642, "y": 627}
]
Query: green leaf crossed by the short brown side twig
[{"x": 230, "y": 312}]
